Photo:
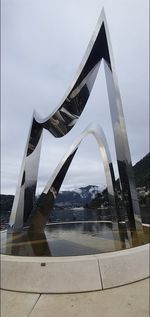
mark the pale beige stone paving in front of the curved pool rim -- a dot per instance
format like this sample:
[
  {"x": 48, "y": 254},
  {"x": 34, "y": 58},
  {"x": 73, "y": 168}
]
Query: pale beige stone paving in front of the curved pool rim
[{"x": 127, "y": 301}]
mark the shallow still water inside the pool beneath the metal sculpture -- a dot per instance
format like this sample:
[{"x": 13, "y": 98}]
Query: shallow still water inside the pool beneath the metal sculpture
[{"x": 70, "y": 238}]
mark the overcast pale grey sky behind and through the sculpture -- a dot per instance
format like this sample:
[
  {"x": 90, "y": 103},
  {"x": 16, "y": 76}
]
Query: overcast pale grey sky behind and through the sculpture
[{"x": 43, "y": 42}]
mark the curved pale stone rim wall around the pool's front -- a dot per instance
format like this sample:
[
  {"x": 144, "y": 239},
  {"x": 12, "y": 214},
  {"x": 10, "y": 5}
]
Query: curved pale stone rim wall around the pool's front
[{"x": 75, "y": 273}]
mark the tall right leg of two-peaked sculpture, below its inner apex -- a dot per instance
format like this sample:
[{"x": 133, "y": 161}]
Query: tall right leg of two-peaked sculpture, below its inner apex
[{"x": 123, "y": 155}]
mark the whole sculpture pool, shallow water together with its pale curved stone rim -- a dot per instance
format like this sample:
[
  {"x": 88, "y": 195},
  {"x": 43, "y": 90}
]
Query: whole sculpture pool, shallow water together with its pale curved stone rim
[{"x": 41, "y": 271}]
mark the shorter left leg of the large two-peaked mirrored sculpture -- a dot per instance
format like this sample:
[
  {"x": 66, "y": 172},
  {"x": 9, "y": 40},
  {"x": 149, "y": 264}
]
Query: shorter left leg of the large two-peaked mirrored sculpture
[{"x": 25, "y": 193}]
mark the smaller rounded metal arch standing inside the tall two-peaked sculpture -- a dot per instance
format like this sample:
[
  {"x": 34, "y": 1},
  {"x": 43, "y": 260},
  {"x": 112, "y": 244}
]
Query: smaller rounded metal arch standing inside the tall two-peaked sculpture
[{"x": 47, "y": 198}]
